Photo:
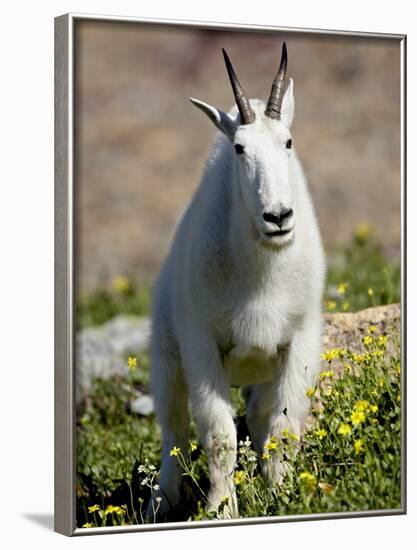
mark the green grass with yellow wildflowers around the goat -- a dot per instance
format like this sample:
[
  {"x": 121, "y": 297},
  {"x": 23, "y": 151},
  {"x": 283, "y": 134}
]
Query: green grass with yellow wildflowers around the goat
[{"x": 118, "y": 452}]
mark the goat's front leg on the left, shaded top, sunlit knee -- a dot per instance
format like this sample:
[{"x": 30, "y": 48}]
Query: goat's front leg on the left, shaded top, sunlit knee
[{"x": 209, "y": 393}]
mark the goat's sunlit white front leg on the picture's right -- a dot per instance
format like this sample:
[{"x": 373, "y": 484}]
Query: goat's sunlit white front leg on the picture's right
[{"x": 297, "y": 369}]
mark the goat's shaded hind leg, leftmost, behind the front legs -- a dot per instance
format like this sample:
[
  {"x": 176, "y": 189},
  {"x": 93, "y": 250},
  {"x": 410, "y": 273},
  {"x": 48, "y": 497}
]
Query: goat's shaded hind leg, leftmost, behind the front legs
[{"x": 171, "y": 407}]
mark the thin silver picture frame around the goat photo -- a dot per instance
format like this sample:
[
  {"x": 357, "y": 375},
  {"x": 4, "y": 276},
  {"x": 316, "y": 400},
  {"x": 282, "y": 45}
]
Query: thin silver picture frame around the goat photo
[{"x": 64, "y": 385}]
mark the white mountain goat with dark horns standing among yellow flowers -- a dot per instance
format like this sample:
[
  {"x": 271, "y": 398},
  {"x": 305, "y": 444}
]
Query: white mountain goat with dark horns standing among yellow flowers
[{"x": 238, "y": 300}]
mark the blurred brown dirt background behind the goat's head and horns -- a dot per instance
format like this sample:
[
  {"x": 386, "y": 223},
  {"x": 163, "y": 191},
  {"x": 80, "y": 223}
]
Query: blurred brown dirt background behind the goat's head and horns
[{"x": 141, "y": 146}]
